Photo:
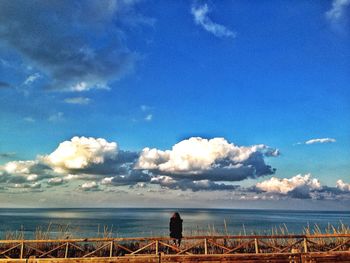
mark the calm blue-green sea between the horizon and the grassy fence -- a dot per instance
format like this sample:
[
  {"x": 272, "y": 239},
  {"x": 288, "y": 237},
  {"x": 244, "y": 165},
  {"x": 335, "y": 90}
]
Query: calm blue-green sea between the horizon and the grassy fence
[{"x": 134, "y": 222}]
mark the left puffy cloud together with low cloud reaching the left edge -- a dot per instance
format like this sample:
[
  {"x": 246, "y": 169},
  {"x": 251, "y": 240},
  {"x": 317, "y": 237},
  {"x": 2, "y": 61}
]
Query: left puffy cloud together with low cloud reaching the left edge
[{"x": 81, "y": 158}]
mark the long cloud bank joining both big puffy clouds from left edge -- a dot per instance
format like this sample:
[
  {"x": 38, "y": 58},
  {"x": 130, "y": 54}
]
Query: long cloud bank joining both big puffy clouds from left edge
[{"x": 195, "y": 164}]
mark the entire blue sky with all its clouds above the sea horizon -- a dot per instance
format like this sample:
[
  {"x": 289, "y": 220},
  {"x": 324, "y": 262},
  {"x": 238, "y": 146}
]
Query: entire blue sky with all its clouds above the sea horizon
[{"x": 144, "y": 103}]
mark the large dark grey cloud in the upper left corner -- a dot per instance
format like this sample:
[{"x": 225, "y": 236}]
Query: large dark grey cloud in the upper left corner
[{"x": 59, "y": 39}]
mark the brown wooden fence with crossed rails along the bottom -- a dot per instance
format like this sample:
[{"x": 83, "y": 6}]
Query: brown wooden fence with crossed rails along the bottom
[{"x": 190, "y": 246}]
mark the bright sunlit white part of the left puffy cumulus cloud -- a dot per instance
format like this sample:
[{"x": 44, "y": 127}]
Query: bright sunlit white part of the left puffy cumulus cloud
[{"x": 81, "y": 153}]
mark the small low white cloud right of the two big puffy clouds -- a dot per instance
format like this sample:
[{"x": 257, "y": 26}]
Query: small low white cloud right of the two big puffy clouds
[{"x": 298, "y": 186}]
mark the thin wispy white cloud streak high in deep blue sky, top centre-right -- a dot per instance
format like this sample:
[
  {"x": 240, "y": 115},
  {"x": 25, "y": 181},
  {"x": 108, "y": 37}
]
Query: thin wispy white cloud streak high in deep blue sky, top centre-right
[{"x": 200, "y": 14}]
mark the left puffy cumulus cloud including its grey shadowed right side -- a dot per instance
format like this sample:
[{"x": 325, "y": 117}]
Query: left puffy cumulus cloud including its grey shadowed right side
[{"x": 88, "y": 158}]
